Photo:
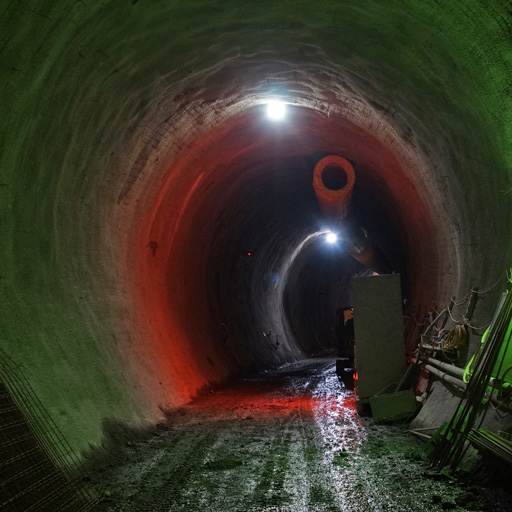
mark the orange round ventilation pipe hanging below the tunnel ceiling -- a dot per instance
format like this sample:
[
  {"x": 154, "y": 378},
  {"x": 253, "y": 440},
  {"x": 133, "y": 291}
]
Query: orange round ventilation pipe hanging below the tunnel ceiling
[{"x": 333, "y": 181}]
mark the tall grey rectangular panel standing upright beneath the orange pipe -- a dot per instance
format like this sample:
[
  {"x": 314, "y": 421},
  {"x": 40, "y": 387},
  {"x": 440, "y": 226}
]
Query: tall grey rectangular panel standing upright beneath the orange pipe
[{"x": 379, "y": 334}]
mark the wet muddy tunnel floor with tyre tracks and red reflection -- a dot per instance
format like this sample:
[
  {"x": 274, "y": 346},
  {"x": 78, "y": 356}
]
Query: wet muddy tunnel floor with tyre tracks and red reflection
[{"x": 288, "y": 440}]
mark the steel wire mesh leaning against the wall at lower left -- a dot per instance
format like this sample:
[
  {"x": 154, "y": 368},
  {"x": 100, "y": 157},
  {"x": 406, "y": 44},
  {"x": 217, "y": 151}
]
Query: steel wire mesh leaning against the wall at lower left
[{"x": 38, "y": 469}]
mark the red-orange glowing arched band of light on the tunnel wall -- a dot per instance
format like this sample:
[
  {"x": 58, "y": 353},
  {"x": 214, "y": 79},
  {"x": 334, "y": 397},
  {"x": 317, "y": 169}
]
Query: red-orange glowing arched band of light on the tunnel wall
[{"x": 169, "y": 271}]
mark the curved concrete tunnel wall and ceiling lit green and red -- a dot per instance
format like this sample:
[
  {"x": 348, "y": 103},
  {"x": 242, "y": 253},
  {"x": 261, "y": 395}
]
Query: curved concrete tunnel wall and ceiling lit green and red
[{"x": 159, "y": 230}]
